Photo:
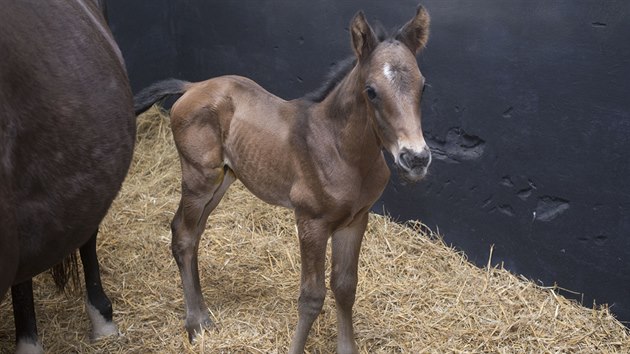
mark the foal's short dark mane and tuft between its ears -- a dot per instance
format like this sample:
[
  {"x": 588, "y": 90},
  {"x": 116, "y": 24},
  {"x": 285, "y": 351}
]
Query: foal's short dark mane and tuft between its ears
[{"x": 341, "y": 69}]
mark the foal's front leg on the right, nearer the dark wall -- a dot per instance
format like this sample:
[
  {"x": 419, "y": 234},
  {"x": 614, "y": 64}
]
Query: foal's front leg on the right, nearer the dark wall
[{"x": 346, "y": 246}]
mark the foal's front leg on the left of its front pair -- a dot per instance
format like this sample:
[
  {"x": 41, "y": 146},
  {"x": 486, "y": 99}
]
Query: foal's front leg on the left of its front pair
[{"x": 313, "y": 236}]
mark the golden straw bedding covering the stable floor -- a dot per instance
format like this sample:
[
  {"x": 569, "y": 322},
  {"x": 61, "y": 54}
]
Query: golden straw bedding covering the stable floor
[{"x": 415, "y": 294}]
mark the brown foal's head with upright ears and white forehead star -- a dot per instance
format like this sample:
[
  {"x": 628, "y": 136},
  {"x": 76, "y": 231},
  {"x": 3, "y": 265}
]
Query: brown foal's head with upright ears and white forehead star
[{"x": 392, "y": 88}]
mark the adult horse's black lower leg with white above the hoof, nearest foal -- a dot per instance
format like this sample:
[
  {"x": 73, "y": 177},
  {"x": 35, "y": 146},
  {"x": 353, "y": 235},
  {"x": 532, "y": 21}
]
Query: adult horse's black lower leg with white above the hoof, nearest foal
[{"x": 99, "y": 307}]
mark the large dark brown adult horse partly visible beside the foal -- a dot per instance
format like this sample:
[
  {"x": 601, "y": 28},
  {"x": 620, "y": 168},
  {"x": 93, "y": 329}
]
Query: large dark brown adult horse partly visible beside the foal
[{"x": 67, "y": 132}]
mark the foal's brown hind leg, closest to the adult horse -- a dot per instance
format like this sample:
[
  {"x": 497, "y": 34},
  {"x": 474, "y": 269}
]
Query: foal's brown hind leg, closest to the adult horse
[{"x": 201, "y": 193}]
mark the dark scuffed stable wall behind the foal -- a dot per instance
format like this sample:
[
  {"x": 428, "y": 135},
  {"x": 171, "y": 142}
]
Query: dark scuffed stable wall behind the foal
[{"x": 527, "y": 114}]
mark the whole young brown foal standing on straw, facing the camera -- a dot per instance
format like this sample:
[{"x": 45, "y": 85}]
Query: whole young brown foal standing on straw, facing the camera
[{"x": 320, "y": 155}]
